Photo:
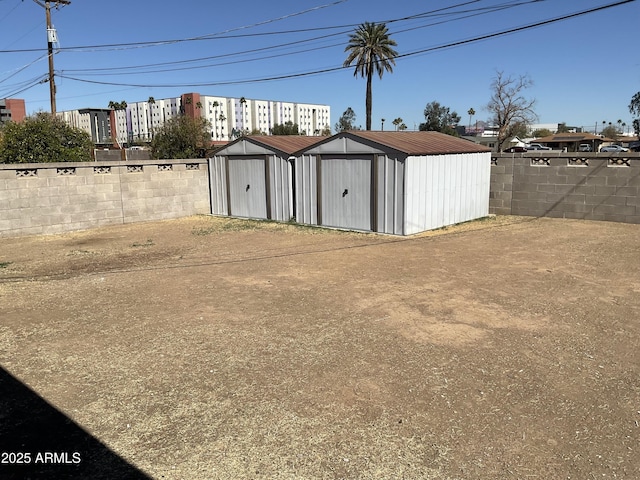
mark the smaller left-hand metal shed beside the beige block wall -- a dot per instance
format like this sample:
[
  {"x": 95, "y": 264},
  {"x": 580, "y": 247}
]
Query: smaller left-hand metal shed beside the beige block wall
[{"x": 252, "y": 176}]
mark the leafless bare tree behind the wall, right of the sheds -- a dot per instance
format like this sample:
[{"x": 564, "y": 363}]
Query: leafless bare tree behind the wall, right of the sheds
[{"x": 508, "y": 107}]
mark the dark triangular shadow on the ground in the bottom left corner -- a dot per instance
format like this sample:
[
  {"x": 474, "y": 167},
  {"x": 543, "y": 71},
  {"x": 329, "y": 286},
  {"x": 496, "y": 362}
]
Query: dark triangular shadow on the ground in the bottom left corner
[{"x": 48, "y": 443}]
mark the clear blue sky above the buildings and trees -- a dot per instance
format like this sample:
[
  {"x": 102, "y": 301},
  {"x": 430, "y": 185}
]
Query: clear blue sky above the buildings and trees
[{"x": 585, "y": 69}]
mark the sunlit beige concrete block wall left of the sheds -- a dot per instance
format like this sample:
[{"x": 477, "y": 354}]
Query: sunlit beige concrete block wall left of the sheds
[{"x": 49, "y": 198}]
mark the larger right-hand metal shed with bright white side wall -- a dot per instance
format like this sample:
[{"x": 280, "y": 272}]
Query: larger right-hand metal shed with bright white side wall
[{"x": 399, "y": 183}]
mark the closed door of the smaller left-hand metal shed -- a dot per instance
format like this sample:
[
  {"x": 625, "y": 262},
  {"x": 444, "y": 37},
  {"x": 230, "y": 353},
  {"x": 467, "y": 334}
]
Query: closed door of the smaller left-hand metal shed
[{"x": 247, "y": 188}]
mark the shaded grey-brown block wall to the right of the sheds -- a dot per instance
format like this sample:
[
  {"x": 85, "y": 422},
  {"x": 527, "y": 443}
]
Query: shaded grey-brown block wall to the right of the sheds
[{"x": 567, "y": 185}]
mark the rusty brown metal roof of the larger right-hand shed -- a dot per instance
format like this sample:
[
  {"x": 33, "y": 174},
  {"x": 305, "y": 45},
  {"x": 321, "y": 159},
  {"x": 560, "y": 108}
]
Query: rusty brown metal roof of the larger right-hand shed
[{"x": 420, "y": 143}]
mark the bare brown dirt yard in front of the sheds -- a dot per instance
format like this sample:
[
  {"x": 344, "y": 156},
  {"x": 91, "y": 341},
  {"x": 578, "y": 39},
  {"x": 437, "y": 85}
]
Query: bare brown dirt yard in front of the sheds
[{"x": 212, "y": 348}]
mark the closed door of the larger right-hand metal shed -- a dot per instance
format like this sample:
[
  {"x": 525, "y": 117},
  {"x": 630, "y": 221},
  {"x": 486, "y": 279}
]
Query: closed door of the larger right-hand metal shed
[{"x": 346, "y": 192}]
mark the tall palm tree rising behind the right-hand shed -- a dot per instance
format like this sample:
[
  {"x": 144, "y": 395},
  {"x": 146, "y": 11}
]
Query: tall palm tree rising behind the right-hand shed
[{"x": 370, "y": 47}]
